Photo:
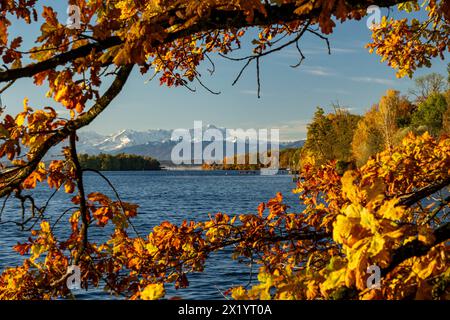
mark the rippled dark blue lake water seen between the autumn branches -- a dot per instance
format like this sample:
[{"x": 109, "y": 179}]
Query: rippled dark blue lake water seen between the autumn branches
[{"x": 167, "y": 195}]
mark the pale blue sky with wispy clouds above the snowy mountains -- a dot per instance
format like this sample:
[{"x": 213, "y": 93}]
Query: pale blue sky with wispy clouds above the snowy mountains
[{"x": 349, "y": 76}]
